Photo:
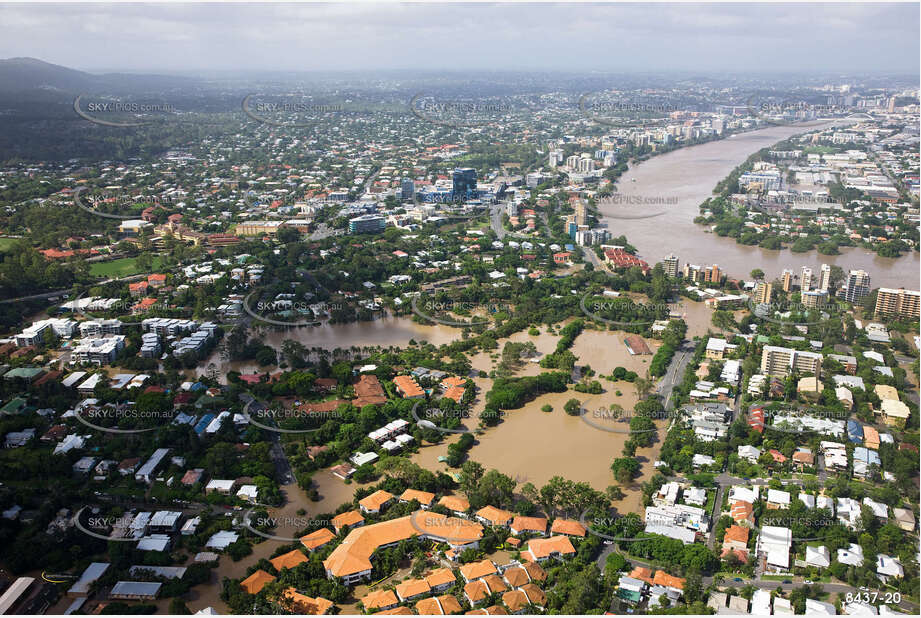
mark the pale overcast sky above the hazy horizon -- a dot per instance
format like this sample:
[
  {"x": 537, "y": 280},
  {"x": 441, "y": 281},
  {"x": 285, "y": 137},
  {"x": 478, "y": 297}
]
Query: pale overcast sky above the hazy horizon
[{"x": 576, "y": 37}]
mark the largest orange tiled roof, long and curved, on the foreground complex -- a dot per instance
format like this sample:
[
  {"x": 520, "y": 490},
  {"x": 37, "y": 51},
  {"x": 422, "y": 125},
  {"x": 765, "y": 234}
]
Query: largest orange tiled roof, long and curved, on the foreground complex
[{"x": 353, "y": 555}]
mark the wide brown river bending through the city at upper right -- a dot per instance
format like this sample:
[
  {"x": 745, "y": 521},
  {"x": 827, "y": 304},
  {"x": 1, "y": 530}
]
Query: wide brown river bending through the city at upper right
[{"x": 689, "y": 175}]
